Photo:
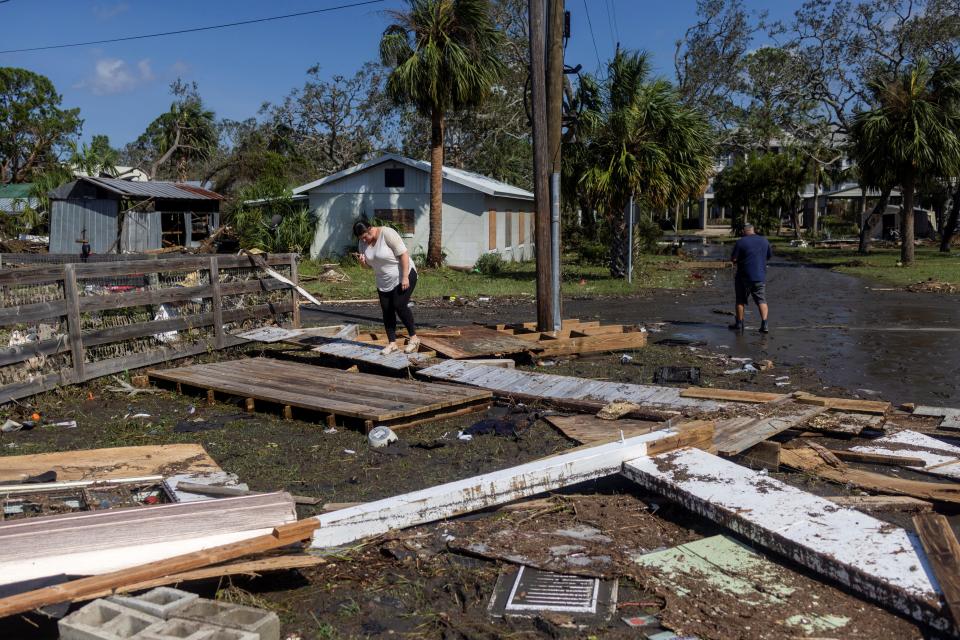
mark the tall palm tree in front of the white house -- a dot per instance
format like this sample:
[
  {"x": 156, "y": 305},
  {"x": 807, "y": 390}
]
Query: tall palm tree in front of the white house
[{"x": 443, "y": 55}]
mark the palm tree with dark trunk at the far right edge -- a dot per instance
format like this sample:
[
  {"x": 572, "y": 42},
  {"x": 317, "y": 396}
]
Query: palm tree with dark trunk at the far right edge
[{"x": 912, "y": 132}]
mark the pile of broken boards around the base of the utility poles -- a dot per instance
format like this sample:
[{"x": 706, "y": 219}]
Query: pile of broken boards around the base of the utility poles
[{"x": 576, "y": 337}]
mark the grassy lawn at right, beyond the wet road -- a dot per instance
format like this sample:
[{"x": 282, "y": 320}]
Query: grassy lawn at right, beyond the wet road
[{"x": 881, "y": 263}]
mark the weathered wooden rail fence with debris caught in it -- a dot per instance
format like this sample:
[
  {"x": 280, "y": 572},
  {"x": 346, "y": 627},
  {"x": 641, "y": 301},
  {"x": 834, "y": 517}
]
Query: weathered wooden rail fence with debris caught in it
[{"x": 68, "y": 323}]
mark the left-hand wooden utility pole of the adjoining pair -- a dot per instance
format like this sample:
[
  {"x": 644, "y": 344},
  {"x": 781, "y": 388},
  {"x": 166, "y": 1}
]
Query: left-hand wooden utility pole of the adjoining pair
[{"x": 541, "y": 163}]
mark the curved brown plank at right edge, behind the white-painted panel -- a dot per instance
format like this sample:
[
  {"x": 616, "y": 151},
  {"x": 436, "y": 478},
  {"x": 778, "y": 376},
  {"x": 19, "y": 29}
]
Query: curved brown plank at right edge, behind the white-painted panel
[{"x": 808, "y": 461}]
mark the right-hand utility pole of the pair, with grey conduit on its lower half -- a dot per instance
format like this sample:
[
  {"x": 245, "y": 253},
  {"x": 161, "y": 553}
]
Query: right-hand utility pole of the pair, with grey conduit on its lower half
[{"x": 554, "y": 131}]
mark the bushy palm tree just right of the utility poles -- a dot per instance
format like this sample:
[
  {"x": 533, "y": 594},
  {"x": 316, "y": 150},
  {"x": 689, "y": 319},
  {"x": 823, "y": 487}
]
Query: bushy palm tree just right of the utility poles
[{"x": 640, "y": 140}]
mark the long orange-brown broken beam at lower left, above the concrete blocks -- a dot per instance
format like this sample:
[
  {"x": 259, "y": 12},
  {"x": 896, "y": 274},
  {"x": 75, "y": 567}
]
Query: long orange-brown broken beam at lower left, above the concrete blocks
[{"x": 85, "y": 588}]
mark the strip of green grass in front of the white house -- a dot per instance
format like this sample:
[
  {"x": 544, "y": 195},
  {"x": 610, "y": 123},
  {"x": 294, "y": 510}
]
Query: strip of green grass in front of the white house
[{"x": 516, "y": 280}]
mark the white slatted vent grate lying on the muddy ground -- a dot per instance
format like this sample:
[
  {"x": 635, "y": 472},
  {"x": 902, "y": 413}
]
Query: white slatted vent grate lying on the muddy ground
[{"x": 535, "y": 590}]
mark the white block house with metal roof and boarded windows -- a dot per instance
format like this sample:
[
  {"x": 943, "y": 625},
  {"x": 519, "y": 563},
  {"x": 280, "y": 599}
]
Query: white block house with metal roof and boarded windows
[{"x": 480, "y": 215}]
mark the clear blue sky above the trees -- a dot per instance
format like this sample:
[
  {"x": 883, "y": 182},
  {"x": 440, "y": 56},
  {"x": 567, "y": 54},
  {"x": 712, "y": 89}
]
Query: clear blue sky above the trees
[{"x": 121, "y": 87}]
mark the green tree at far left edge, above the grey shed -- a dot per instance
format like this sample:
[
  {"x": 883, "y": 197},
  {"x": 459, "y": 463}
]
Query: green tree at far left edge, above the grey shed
[{"x": 34, "y": 130}]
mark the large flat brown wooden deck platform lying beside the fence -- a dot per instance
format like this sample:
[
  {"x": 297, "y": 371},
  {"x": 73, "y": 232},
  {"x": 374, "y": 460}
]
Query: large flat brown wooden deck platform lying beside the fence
[{"x": 342, "y": 396}]
